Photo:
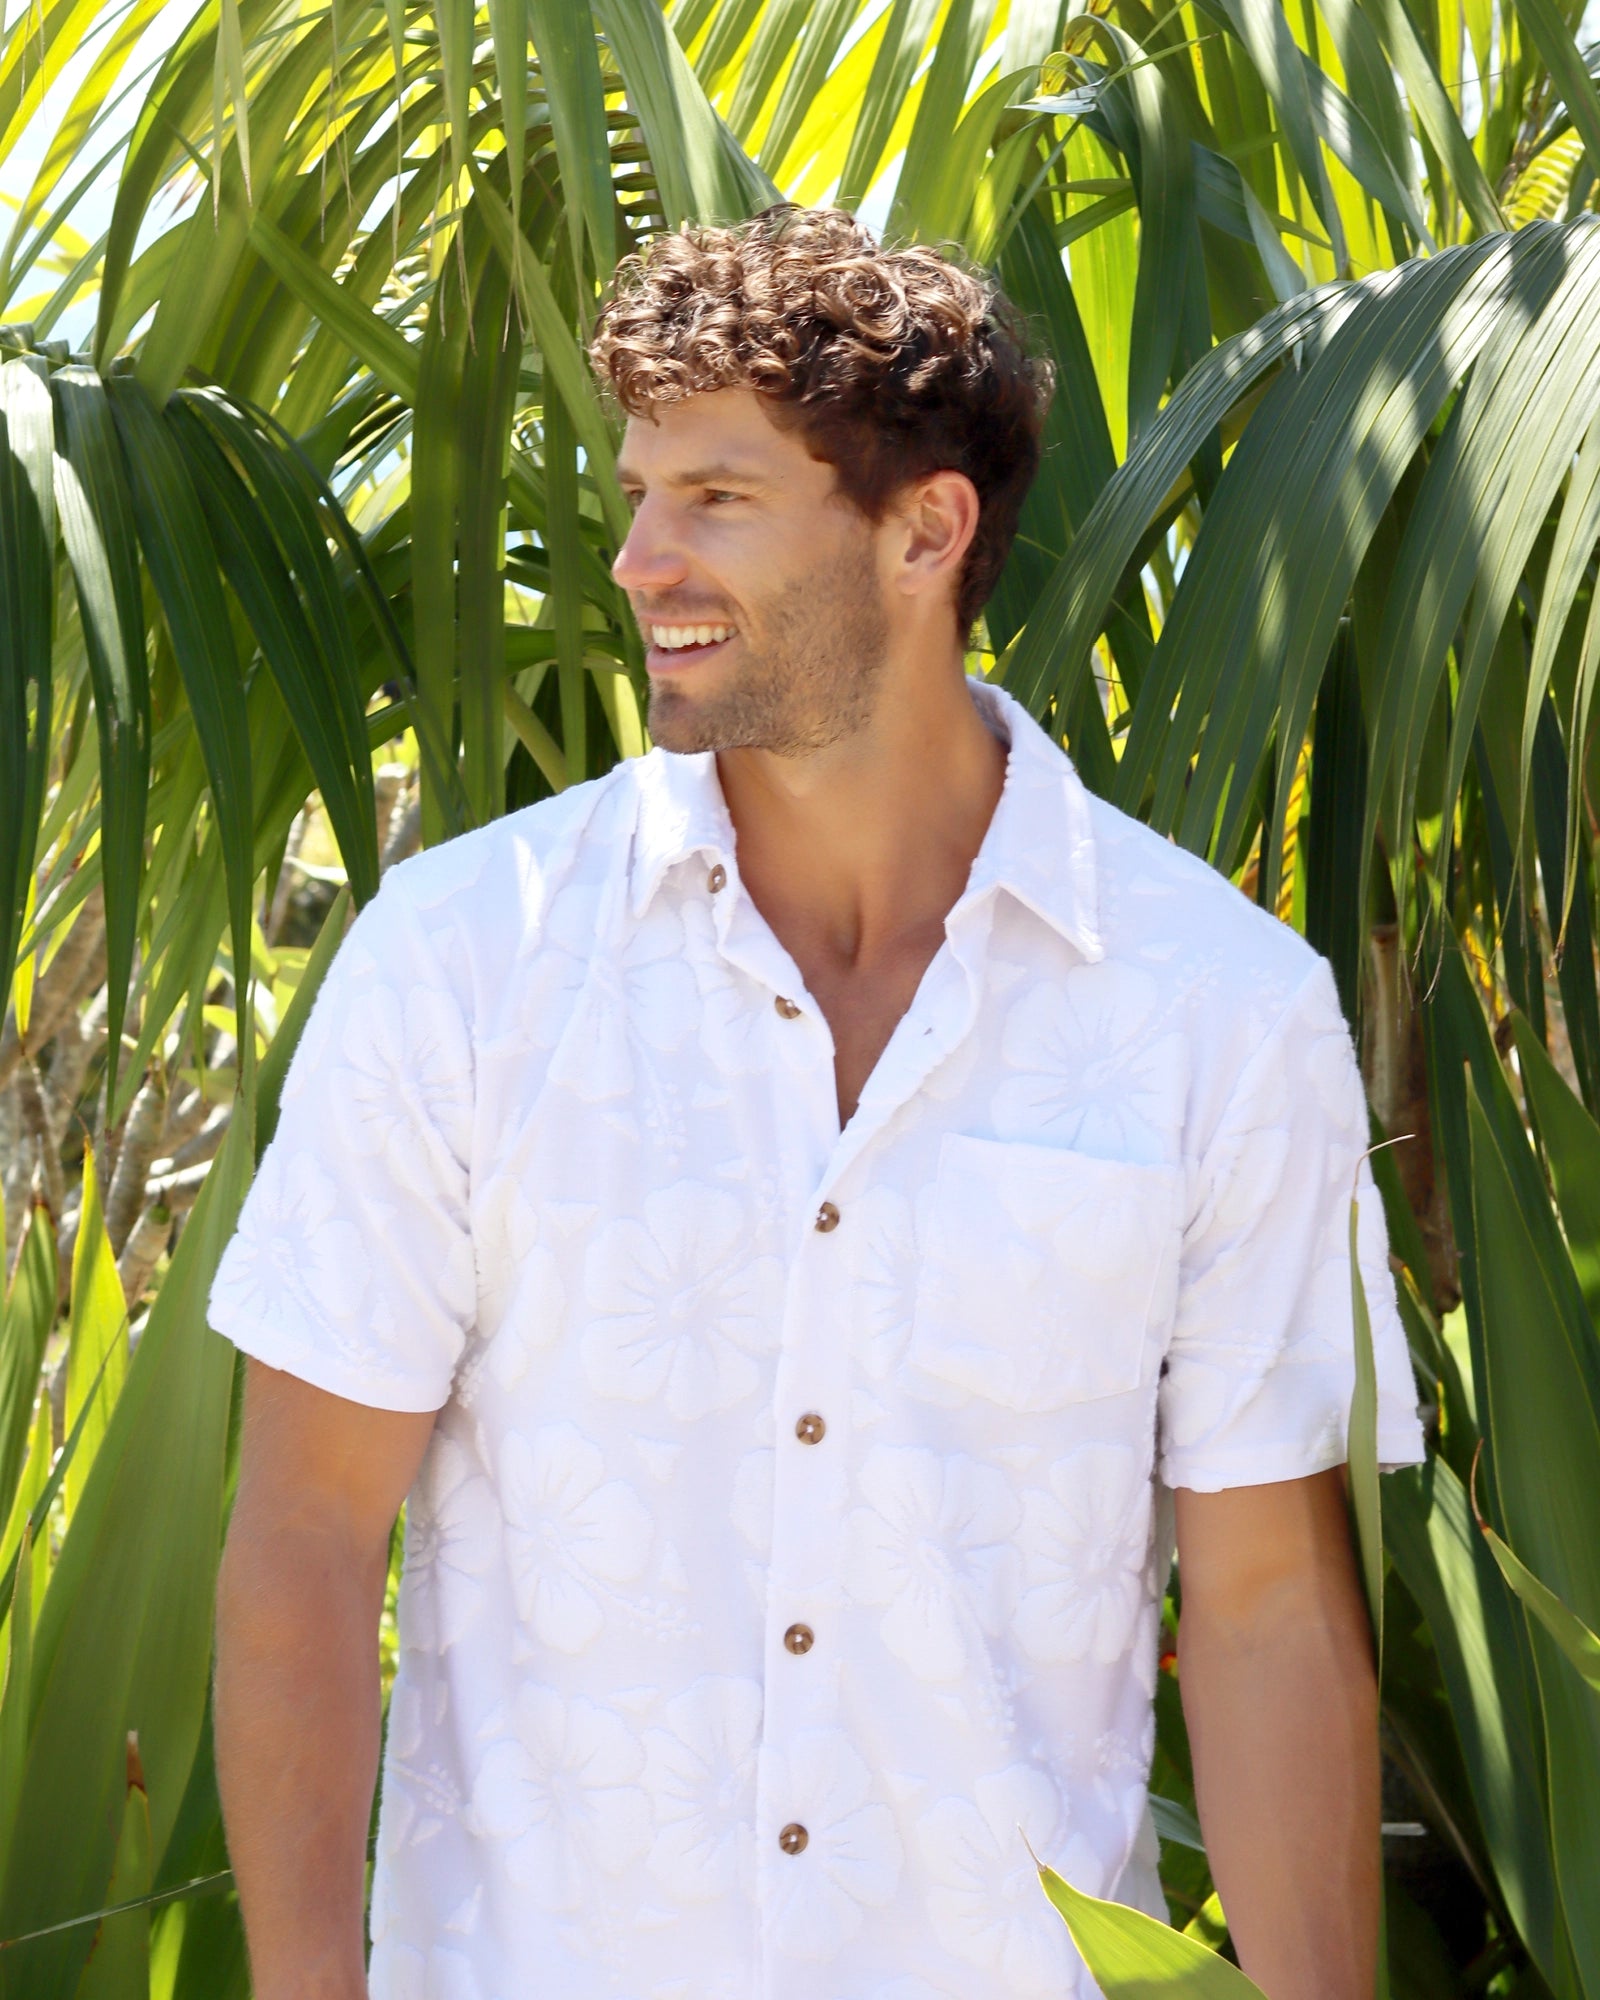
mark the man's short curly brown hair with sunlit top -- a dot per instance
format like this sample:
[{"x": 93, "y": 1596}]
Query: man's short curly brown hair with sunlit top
[{"x": 889, "y": 363}]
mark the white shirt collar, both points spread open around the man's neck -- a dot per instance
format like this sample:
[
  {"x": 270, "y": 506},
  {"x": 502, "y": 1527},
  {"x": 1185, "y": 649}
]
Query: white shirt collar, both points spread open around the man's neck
[{"x": 1039, "y": 845}]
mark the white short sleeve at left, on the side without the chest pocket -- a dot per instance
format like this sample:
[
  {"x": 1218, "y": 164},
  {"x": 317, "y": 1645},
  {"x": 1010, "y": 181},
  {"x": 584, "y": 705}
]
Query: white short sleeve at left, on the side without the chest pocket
[{"x": 353, "y": 1259}]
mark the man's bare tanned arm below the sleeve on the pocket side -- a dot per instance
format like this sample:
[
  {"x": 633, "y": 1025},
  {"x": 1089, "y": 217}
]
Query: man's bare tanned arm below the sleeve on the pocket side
[{"x": 1275, "y": 1661}]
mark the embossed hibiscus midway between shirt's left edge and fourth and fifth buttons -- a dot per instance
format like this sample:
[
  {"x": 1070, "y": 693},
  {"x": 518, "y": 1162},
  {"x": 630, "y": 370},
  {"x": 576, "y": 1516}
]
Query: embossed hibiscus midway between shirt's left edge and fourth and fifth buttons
[{"x": 571, "y": 1535}]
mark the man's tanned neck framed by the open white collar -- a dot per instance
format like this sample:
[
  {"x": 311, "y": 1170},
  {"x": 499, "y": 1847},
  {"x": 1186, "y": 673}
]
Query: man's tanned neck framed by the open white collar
[{"x": 859, "y": 849}]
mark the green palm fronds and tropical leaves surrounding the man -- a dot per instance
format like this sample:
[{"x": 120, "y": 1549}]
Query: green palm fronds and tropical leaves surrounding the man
[{"x": 305, "y": 557}]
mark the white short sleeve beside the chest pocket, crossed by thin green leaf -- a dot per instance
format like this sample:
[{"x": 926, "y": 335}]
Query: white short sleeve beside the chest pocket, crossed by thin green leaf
[{"x": 1263, "y": 1365}]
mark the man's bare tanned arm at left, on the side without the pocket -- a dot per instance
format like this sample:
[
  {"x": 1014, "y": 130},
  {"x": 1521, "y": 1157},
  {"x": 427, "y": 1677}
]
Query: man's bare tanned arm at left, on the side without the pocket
[{"x": 297, "y": 1673}]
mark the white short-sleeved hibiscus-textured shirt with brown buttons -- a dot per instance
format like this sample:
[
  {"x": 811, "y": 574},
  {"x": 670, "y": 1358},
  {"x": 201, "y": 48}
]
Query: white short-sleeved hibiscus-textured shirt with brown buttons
[{"x": 793, "y": 1479}]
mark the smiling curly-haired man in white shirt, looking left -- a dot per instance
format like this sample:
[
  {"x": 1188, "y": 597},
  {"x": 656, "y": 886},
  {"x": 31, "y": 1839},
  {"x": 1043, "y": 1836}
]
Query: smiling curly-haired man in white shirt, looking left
[{"x": 795, "y": 1217}]
